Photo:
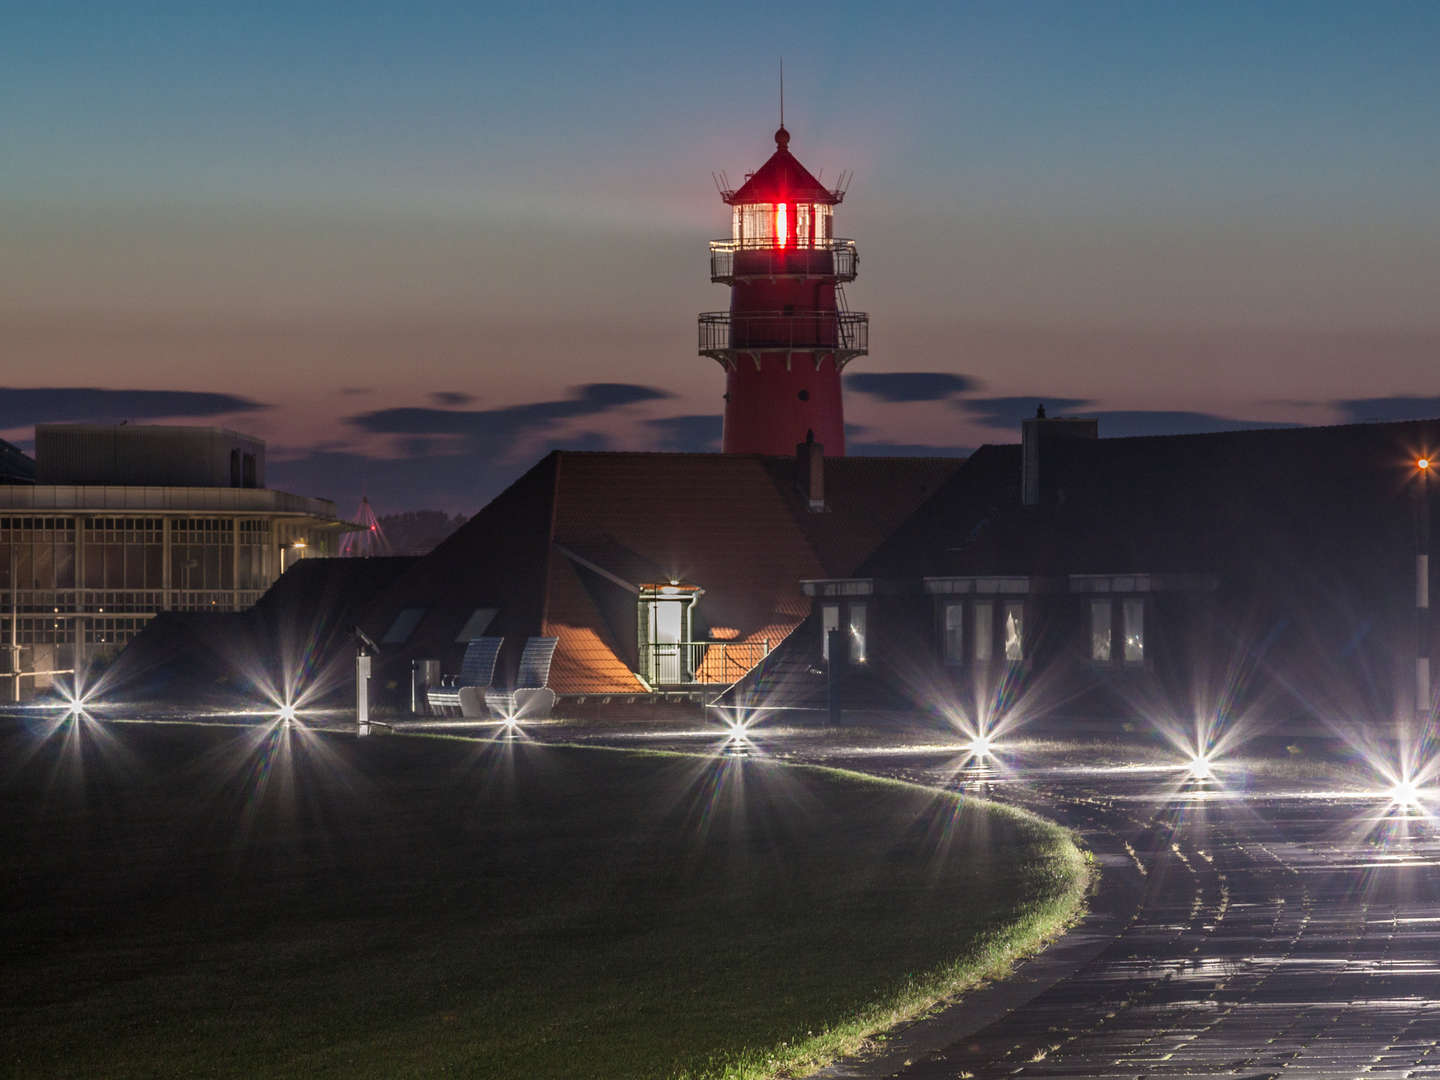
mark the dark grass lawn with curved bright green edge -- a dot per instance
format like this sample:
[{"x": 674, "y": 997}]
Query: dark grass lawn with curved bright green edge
[{"x": 201, "y": 902}]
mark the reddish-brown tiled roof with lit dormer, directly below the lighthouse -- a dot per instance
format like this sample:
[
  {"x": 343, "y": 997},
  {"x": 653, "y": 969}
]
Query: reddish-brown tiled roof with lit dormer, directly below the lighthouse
[{"x": 562, "y": 551}]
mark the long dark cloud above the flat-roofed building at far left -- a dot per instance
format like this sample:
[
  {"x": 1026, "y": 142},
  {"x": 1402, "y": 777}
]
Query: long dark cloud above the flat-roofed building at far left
[{"x": 96, "y": 405}]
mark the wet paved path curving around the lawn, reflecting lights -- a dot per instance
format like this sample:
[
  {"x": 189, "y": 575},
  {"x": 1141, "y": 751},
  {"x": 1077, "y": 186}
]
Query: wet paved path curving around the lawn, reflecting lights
[{"x": 1274, "y": 932}]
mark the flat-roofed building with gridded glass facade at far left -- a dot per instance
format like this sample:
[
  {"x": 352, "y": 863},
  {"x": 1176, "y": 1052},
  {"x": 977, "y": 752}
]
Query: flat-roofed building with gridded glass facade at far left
[{"x": 122, "y": 522}]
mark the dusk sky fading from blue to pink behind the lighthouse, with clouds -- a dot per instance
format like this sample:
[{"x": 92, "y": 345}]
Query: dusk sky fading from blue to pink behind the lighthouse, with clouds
[{"x": 414, "y": 250}]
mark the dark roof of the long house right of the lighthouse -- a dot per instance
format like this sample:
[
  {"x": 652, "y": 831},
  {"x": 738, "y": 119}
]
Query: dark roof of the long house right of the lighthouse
[{"x": 1193, "y": 503}]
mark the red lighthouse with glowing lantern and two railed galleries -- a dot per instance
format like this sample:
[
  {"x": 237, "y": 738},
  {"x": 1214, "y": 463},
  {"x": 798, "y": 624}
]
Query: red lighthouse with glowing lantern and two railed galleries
[{"x": 788, "y": 335}]
